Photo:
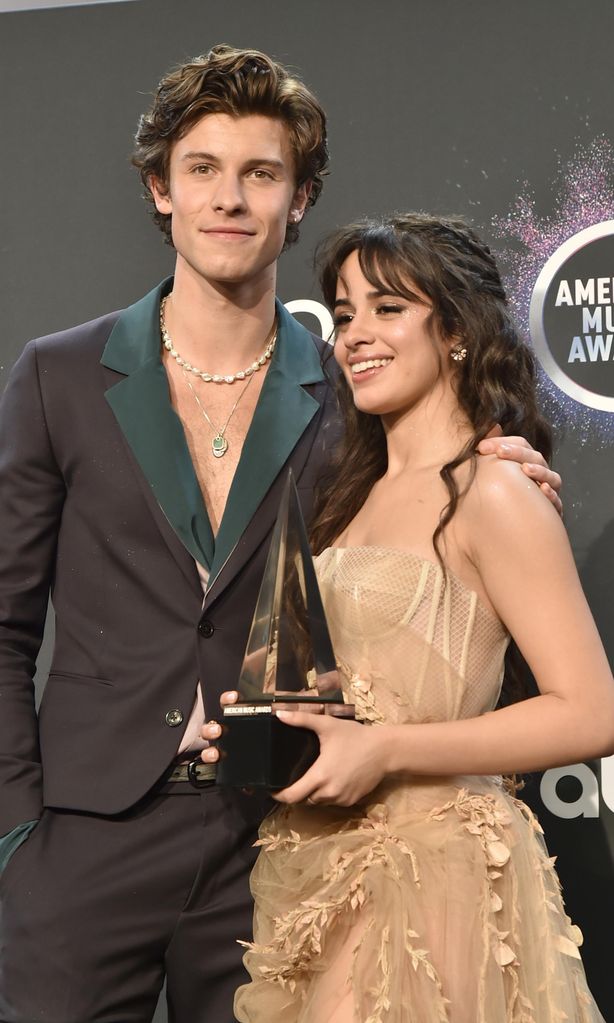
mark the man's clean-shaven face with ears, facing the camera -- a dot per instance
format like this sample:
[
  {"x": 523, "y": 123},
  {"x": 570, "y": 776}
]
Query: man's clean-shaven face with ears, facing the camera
[{"x": 232, "y": 194}]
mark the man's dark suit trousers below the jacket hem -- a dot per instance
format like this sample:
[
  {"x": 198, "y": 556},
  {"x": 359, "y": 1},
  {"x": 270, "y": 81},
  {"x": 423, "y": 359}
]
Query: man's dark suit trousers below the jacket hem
[{"x": 97, "y": 911}]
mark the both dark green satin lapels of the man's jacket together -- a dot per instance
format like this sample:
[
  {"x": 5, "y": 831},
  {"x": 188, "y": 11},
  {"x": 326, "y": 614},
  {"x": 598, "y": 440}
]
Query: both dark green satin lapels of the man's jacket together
[{"x": 143, "y": 408}]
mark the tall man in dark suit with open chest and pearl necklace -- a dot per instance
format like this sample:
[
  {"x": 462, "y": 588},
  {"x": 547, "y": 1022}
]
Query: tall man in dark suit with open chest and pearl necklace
[{"x": 143, "y": 461}]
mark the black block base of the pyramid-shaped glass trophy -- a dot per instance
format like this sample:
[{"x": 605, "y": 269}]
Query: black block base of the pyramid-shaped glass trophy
[{"x": 258, "y": 751}]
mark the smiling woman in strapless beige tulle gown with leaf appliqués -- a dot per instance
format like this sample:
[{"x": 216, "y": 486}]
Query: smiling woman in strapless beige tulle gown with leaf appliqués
[{"x": 403, "y": 881}]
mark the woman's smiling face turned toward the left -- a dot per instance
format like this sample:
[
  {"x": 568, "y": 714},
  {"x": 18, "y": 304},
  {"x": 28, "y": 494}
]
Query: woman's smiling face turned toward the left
[{"x": 387, "y": 346}]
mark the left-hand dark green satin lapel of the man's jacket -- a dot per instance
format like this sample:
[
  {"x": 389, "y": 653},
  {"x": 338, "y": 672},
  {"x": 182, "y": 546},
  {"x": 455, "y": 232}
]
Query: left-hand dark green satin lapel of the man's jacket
[{"x": 142, "y": 406}]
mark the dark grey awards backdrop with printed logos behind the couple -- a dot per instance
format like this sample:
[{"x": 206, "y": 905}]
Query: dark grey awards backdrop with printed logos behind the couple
[{"x": 500, "y": 112}]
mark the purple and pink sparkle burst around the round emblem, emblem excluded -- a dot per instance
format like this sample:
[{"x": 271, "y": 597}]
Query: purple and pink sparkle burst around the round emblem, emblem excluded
[{"x": 584, "y": 189}]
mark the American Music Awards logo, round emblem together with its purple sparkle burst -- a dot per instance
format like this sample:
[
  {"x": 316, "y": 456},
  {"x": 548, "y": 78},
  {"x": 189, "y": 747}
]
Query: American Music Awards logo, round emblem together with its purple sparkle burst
[{"x": 555, "y": 263}]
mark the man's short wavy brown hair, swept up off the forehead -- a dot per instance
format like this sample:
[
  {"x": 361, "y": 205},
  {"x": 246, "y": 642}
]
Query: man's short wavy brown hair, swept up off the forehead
[{"x": 239, "y": 83}]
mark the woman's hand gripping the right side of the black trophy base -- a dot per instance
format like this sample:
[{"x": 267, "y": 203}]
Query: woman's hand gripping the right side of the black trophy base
[{"x": 352, "y": 764}]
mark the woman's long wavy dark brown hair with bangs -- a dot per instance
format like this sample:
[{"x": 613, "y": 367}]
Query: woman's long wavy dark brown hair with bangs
[{"x": 496, "y": 384}]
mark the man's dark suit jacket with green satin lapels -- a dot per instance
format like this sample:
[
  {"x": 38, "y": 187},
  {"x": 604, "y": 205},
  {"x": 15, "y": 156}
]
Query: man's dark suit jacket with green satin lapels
[{"x": 101, "y": 507}]
